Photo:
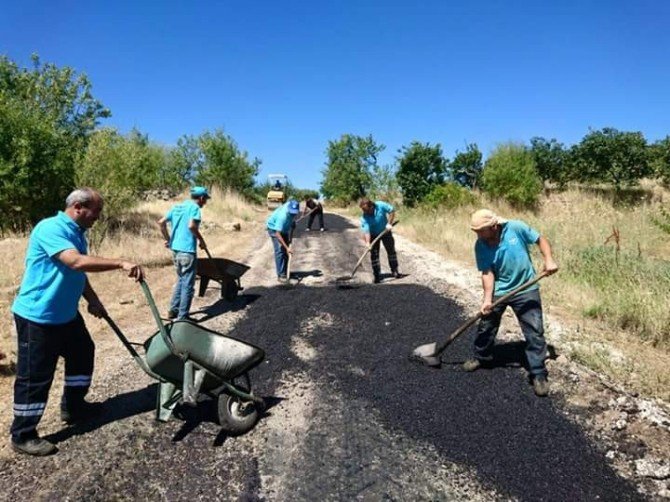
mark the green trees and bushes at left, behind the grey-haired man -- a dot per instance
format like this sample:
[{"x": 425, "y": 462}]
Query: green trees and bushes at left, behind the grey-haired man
[{"x": 51, "y": 141}]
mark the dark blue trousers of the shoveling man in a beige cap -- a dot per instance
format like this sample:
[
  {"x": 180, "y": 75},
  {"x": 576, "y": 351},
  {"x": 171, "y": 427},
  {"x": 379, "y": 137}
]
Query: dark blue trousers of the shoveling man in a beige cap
[{"x": 527, "y": 307}]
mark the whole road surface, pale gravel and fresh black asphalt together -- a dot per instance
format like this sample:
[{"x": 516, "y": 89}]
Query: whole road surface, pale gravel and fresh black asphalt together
[{"x": 350, "y": 417}]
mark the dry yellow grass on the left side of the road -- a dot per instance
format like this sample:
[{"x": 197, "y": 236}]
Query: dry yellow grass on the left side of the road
[{"x": 138, "y": 240}]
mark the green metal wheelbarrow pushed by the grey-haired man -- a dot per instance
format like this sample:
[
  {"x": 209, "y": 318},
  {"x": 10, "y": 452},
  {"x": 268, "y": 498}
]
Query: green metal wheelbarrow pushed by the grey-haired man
[{"x": 189, "y": 360}]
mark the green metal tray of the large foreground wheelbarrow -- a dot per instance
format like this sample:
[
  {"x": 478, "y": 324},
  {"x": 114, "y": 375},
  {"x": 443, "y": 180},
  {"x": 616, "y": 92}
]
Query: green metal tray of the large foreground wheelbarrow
[{"x": 223, "y": 356}]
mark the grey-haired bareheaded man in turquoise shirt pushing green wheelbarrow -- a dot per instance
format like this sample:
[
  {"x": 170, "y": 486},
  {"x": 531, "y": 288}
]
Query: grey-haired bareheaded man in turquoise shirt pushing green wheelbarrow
[{"x": 48, "y": 322}]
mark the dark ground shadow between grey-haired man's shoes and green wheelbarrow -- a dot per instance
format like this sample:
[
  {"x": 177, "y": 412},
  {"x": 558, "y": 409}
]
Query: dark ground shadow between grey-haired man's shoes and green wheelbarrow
[{"x": 113, "y": 409}]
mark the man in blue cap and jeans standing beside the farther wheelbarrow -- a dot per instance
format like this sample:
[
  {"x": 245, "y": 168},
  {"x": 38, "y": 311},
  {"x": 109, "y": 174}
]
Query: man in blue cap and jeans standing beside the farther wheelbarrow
[{"x": 184, "y": 219}]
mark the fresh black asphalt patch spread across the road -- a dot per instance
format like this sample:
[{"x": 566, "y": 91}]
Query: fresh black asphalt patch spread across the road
[{"x": 520, "y": 444}]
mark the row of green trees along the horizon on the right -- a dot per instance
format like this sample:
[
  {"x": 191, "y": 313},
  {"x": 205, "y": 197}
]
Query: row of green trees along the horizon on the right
[{"x": 515, "y": 172}]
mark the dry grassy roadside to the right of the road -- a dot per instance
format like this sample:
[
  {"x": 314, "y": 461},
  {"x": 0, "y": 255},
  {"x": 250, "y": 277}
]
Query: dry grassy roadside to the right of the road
[{"x": 611, "y": 298}]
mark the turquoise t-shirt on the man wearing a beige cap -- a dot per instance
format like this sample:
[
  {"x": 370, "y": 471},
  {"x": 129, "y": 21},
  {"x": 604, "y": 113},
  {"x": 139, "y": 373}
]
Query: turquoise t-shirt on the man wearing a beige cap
[{"x": 510, "y": 260}]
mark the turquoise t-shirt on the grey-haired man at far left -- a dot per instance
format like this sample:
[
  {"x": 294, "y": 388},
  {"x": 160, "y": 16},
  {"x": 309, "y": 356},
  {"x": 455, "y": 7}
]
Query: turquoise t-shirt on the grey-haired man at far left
[{"x": 50, "y": 290}]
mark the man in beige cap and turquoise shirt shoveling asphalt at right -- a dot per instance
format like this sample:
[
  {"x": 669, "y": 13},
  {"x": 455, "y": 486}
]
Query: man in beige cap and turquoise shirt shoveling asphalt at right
[{"x": 502, "y": 256}]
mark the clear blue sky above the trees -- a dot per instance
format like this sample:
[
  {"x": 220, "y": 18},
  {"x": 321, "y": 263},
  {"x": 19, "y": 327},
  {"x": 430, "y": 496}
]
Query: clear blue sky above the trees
[{"x": 285, "y": 77}]
